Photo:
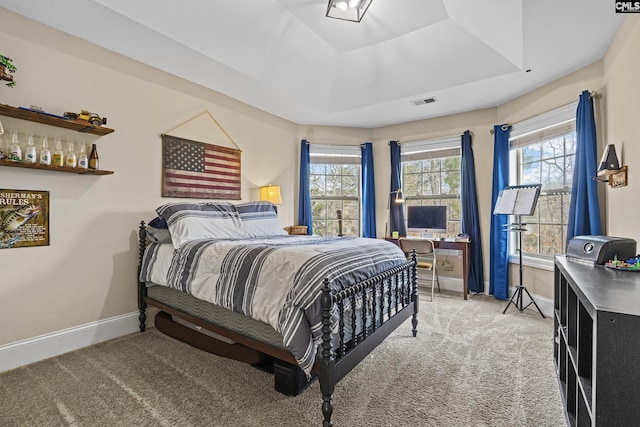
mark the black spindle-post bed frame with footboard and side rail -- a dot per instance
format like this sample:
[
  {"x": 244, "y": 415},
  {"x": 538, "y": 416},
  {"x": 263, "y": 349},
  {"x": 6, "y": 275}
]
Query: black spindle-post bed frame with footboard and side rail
[{"x": 387, "y": 300}]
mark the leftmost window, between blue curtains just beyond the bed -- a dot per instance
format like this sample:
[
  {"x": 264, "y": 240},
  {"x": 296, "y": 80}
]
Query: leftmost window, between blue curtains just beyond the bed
[{"x": 335, "y": 185}]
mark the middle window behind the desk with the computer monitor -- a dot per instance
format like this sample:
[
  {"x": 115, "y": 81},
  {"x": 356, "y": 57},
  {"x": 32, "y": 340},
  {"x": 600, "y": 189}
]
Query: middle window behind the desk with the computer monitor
[{"x": 431, "y": 176}]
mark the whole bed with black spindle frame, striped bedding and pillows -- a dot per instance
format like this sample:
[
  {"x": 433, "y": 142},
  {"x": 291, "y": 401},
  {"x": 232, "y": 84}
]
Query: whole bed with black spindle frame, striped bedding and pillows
[{"x": 319, "y": 305}]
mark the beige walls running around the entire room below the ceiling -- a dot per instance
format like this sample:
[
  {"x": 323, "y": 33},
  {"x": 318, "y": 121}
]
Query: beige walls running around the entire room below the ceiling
[{"x": 88, "y": 272}]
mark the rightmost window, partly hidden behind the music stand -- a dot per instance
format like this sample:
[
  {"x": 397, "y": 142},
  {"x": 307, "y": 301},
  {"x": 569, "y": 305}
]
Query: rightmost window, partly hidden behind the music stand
[{"x": 543, "y": 151}]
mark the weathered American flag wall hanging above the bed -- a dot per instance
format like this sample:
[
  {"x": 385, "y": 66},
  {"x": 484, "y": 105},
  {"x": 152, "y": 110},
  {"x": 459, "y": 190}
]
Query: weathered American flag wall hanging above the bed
[{"x": 197, "y": 170}]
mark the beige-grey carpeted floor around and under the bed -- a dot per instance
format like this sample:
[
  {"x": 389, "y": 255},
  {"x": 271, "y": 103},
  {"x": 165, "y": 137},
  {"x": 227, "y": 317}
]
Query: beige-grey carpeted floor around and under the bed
[{"x": 470, "y": 365}]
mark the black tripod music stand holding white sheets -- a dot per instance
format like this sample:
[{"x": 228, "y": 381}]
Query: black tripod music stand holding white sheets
[{"x": 518, "y": 200}]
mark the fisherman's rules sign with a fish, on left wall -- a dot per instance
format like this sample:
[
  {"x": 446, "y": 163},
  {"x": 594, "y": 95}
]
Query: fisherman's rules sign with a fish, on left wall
[{"x": 24, "y": 218}]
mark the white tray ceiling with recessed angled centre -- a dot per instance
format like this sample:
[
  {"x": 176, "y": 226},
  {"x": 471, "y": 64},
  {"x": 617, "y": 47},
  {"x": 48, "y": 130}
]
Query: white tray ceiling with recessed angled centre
[{"x": 287, "y": 58}]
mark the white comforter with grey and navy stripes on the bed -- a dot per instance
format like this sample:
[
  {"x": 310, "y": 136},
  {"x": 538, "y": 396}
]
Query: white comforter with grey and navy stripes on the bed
[{"x": 275, "y": 280}]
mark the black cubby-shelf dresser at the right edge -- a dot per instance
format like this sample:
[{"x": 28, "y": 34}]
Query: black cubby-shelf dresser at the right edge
[{"x": 597, "y": 343}]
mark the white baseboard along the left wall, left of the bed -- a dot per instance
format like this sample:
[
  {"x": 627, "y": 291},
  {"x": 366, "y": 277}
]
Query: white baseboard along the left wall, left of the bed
[{"x": 22, "y": 353}]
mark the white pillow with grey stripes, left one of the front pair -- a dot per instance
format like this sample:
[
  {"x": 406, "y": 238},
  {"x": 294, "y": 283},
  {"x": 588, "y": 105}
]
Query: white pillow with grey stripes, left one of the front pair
[{"x": 195, "y": 221}]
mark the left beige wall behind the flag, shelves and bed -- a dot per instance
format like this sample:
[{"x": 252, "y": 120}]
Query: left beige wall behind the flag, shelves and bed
[{"x": 88, "y": 271}]
